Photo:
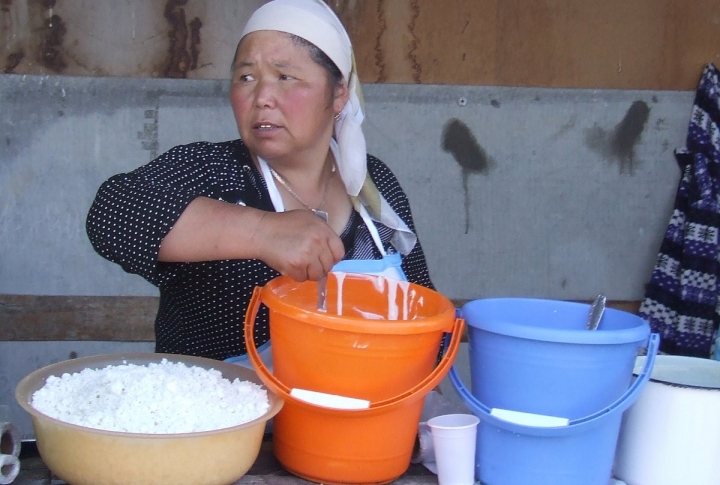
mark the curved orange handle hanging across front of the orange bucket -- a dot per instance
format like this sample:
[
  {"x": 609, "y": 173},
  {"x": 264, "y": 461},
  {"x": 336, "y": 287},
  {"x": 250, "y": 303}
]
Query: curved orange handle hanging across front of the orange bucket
[{"x": 432, "y": 380}]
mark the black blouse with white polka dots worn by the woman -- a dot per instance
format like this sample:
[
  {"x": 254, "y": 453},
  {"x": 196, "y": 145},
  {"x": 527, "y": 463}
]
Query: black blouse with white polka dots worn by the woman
[{"x": 203, "y": 305}]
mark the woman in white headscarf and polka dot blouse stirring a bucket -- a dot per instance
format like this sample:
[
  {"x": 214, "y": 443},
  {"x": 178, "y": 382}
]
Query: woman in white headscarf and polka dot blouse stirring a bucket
[{"x": 208, "y": 222}]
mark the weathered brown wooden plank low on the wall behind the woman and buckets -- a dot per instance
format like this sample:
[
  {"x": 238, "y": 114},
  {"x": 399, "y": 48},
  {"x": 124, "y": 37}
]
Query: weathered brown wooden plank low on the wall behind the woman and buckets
[{"x": 103, "y": 318}]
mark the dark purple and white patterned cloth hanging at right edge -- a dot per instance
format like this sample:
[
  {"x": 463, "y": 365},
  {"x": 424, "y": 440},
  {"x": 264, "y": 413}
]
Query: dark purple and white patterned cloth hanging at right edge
[{"x": 681, "y": 299}]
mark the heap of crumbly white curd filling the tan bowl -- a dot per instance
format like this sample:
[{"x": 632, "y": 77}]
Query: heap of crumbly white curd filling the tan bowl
[{"x": 158, "y": 398}]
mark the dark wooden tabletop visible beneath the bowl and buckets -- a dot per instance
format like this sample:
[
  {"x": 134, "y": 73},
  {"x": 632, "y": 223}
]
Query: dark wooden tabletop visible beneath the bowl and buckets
[{"x": 265, "y": 471}]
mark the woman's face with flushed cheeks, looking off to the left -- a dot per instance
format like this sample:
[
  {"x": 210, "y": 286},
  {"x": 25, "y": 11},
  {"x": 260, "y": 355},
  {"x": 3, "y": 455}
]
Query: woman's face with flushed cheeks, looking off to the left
[{"x": 282, "y": 100}]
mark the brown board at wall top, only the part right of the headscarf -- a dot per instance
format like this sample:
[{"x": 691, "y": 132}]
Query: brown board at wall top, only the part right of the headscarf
[{"x": 601, "y": 44}]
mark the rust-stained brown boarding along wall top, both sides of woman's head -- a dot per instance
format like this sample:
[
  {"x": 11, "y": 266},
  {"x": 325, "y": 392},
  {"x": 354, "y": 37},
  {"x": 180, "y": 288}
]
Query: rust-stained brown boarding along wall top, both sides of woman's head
[{"x": 599, "y": 44}]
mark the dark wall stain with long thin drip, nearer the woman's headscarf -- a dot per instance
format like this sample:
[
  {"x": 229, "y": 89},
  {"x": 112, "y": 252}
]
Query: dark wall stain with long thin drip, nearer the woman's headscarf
[{"x": 459, "y": 141}]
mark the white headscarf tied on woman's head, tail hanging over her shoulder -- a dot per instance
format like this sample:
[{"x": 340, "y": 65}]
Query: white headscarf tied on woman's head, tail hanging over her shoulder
[{"x": 314, "y": 21}]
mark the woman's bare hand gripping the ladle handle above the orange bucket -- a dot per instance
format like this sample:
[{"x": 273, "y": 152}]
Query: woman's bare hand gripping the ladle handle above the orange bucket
[{"x": 298, "y": 244}]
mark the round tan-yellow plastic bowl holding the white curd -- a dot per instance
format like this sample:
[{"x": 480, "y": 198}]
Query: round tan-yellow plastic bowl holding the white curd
[{"x": 87, "y": 456}]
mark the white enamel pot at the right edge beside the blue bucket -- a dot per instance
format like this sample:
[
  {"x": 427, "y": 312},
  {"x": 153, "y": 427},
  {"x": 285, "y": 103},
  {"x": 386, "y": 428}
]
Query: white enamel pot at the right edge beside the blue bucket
[{"x": 671, "y": 435}]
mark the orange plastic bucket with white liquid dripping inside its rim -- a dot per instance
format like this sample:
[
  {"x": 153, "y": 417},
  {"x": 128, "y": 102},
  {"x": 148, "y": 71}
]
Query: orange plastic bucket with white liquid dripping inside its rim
[{"x": 356, "y": 349}]
